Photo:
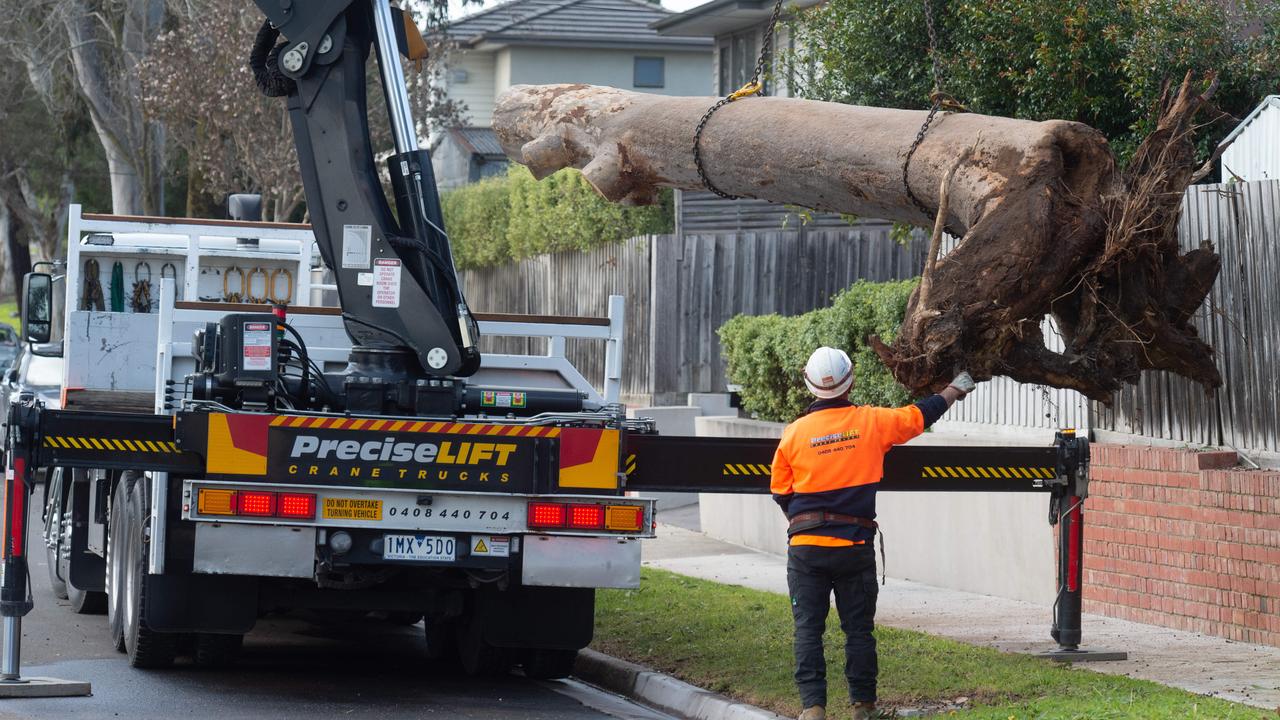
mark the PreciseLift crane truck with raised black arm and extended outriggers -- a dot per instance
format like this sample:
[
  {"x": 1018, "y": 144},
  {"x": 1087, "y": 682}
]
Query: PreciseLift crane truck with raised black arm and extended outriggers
[{"x": 226, "y": 450}]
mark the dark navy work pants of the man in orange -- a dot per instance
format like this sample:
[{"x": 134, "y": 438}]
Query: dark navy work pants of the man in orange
[{"x": 813, "y": 575}]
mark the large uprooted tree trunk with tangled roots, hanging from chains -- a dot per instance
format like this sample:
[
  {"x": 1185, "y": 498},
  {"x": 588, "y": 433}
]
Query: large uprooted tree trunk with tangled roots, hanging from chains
[{"x": 1040, "y": 207}]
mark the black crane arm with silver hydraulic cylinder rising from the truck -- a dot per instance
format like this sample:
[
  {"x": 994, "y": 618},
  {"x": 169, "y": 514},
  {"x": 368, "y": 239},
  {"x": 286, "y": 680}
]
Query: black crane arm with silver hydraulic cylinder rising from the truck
[{"x": 395, "y": 271}]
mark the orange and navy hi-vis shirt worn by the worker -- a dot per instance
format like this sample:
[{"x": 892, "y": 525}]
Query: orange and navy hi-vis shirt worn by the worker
[{"x": 834, "y": 459}]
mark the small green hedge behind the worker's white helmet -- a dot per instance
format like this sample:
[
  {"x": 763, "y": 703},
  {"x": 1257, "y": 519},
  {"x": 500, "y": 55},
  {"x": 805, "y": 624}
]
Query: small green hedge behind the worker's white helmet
[{"x": 766, "y": 354}]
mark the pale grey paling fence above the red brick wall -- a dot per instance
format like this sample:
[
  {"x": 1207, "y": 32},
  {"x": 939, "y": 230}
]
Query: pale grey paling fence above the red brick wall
[{"x": 1240, "y": 321}]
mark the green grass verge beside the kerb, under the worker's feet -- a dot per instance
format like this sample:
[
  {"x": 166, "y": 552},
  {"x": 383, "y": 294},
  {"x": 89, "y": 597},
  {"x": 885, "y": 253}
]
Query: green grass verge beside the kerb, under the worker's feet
[{"x": 738, "y": 642}]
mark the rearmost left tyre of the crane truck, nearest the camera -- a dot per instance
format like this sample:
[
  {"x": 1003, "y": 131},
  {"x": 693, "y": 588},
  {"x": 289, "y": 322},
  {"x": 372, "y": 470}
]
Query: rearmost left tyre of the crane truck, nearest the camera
[{"x": 147, "y": 648}]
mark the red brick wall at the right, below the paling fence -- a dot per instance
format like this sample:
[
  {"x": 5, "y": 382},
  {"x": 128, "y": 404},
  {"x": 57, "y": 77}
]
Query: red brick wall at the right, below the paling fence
[{"x": 1186, "y": 541}]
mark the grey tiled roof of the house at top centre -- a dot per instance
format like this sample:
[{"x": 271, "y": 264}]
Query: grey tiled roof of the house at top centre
[{"x": 592, "y": 24}]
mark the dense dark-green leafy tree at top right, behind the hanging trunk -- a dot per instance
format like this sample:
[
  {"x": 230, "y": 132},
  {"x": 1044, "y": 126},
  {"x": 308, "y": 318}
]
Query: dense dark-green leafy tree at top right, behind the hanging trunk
[{"x": 1098, "y": 62}]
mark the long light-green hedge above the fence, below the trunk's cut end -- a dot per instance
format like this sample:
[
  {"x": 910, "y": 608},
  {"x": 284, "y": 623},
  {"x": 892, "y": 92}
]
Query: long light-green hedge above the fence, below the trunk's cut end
[{"x": 513, "y": 217}]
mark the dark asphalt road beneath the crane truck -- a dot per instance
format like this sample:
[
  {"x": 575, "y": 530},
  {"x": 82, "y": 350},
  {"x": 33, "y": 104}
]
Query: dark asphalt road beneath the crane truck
[{"x": 291, "y": 668}]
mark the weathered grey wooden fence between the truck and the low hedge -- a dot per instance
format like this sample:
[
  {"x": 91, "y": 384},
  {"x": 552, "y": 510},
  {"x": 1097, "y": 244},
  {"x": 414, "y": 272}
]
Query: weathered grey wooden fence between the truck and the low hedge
[{"x": 682, "y": 290}]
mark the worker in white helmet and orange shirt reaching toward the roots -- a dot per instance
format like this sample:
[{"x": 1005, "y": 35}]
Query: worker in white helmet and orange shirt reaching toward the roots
[{"x": 825, "y": 477}]
